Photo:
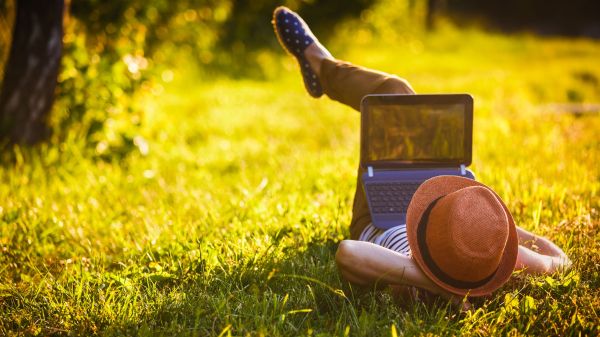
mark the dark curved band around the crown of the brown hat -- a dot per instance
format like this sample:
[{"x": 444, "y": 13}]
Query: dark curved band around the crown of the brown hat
[{"x": 433, "y": 267}]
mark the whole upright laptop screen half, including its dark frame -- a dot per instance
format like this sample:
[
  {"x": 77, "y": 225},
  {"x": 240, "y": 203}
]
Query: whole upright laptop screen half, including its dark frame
[{"x": 416, "y": 130}]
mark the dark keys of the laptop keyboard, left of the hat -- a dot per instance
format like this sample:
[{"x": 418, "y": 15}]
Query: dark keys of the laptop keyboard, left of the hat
[{"x": 389, "y": 197}]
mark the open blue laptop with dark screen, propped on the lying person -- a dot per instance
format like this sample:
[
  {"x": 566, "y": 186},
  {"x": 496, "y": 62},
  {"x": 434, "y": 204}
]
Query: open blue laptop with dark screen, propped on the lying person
[{"x": 407, "y": 139}]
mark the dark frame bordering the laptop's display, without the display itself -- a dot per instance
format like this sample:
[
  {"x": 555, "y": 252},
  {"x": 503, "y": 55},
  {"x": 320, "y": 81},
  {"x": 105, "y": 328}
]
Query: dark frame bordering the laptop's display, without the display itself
[{"x": 370, "y": 101}]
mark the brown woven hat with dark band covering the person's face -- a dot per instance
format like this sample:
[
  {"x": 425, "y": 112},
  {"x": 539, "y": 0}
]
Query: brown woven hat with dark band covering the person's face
[{"x": 462, "y": 235}]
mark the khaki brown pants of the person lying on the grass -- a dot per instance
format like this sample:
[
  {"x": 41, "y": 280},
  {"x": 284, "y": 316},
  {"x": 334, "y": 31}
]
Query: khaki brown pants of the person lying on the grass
[{"x": 348, "y": 84}]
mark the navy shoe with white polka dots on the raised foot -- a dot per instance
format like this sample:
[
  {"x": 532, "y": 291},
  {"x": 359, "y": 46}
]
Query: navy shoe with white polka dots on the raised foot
[{"x": 294, "y": 35}]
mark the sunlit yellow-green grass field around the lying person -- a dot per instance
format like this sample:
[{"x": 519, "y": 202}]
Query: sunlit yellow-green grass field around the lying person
[{"x": 226, "y": 220}]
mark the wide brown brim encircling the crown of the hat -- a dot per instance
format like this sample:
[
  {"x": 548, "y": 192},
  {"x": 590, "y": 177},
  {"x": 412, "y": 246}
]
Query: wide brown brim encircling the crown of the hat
[{"x": 437, "y": 187}]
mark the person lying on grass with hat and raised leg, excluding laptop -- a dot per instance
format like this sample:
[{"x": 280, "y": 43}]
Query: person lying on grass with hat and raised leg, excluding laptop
[{"x": 459, "y": 239}]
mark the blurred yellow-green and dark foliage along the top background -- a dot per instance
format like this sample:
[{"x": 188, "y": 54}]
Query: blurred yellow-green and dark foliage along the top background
[{"x": 118, "y": 52}]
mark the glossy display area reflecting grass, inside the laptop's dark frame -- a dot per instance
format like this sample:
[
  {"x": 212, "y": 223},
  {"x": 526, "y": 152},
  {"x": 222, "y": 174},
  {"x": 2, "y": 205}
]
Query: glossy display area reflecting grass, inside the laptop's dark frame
[{"x": 416, "y": 133}]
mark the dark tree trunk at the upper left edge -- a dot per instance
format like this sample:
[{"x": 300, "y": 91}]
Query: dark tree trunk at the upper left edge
[{"x": 31, "y": 71}]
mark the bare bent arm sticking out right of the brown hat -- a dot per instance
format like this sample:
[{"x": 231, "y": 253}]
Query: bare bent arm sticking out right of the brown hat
[{"x": 548, "y": 258}]
